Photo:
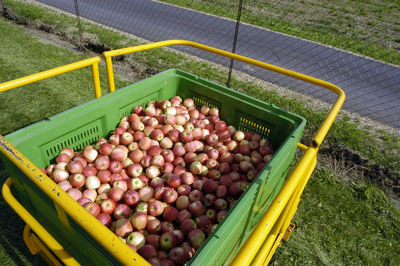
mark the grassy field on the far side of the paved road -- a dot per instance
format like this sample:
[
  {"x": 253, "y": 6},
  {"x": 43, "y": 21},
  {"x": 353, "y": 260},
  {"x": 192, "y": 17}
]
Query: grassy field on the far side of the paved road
[{"x": 364, "y": 27}]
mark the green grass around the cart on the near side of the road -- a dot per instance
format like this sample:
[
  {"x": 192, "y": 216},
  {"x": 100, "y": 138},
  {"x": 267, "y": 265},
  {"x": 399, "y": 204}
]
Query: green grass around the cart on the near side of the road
[{"x": 337, "y": 222}]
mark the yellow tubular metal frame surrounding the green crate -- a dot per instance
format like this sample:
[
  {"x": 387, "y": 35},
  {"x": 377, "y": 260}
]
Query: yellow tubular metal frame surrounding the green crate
[{"x": 266, "y": 236}]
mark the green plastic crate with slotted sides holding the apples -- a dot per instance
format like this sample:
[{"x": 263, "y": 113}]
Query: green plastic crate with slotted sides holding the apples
[{"x": 84, "y": 124}]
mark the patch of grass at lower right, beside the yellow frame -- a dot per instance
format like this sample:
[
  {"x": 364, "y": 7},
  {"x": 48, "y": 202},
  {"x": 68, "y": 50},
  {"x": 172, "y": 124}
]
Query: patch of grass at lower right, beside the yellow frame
[{"x": 345, "y": 225}]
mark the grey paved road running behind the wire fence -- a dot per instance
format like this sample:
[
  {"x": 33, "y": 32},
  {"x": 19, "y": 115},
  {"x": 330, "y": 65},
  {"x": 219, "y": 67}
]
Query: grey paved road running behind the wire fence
[{"x": 372, "y": 88}]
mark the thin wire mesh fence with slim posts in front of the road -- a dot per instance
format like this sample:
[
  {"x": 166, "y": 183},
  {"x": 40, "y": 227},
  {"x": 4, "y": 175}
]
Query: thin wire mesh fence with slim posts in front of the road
[{"x": 366, "y": 34}]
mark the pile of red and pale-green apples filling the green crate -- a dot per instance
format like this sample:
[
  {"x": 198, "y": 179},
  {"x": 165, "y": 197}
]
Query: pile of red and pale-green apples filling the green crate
[{"x": 164, "y": 179}]
